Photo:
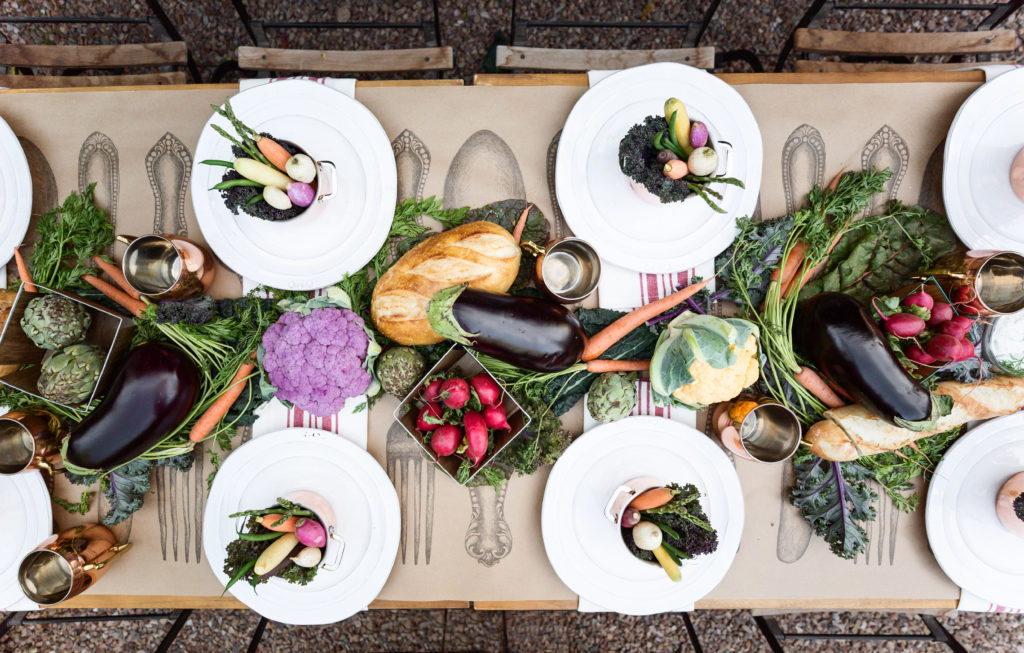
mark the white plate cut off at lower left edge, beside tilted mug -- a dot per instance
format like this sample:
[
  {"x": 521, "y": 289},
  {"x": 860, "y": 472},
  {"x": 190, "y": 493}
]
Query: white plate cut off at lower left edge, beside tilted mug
[{"x": 26, "y": 506}]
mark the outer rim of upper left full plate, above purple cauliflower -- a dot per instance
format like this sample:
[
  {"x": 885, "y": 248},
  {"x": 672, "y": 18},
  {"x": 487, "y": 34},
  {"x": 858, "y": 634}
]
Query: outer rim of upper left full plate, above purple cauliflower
[{"x": 245, "y": 260}]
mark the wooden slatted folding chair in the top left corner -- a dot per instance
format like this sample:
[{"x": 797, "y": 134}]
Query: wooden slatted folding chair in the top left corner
[{"x": 59, "y": 61}]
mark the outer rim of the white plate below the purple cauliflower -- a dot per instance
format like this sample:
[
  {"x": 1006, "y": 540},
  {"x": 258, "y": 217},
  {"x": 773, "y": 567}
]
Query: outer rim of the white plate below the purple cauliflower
[{"x": 345, "y": 452}]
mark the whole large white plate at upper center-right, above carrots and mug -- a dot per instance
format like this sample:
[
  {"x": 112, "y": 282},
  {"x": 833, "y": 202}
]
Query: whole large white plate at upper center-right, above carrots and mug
[{"x": 596, "y": 199}]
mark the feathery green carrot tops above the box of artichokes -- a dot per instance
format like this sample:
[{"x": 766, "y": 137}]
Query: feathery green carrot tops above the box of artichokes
[{"x": 69, "y": 237}]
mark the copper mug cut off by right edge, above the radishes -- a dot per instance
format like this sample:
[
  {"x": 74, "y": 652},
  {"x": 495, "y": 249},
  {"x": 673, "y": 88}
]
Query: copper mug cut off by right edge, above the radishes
[{"x": 996, "y": 280}]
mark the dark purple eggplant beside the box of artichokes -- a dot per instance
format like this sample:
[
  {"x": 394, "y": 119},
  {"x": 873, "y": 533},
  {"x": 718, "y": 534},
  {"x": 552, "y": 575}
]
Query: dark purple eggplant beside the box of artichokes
[{"x": 152, "y": 395}]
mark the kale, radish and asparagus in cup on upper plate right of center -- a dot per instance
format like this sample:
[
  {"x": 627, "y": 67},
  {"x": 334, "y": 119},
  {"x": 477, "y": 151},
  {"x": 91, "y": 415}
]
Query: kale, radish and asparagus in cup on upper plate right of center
[{"x": 671, "y": 158}]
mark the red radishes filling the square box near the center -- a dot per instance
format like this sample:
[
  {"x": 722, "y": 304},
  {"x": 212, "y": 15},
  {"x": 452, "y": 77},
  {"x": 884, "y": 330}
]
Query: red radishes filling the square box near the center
[{"x": 460, "y": 416}]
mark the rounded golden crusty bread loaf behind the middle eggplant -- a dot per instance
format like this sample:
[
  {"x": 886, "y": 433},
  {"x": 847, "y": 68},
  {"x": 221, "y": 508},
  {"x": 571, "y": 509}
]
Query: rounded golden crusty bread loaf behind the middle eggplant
[{"x": 482, "y": 254}]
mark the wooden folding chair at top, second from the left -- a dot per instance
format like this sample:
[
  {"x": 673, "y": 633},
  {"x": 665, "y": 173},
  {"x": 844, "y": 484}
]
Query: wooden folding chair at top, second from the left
[{"x": 261, "y": 57}]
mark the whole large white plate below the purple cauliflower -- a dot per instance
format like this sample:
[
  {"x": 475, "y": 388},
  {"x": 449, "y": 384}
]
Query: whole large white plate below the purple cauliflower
[{"x": 360, "y": 493}]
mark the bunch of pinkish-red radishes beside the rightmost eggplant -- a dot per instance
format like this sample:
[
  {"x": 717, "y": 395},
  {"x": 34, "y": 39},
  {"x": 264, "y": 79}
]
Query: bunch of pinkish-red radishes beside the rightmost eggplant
[{"x": 927, "y": 332}]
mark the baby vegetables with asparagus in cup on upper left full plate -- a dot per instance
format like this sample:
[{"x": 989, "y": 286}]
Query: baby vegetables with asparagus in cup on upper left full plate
[{"x": 269, "y": 180}]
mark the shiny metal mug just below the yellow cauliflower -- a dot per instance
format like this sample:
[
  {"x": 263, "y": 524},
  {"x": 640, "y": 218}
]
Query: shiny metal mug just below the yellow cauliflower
[{"x": 758, "y": 429}]
